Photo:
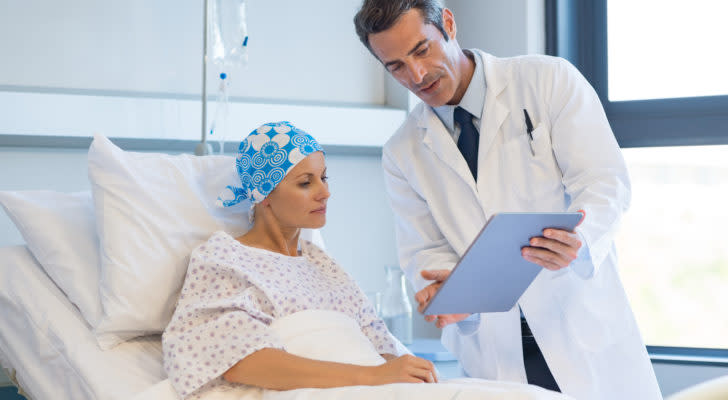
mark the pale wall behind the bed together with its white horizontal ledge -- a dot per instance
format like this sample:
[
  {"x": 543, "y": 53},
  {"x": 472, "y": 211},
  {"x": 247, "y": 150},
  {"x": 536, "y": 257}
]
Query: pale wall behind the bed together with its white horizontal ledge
[{"x": 133, "y": 69}]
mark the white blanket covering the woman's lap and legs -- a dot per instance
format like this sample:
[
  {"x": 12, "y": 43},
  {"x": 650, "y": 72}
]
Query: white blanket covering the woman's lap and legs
[{"x": 333, "y": 336}]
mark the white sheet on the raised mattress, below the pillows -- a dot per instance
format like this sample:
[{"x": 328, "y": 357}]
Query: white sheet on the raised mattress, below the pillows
[{"x": 44, "y": 338}]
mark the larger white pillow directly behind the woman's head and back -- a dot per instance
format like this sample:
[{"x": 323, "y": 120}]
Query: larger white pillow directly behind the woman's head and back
[{"x": 152, "y": 211}]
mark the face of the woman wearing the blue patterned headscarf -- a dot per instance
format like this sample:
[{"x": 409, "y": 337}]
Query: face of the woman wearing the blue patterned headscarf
[{"x": 299, "y": 201}]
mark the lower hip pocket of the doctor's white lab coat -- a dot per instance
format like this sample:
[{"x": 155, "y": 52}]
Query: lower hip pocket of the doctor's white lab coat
[{"x": 594, "y": 317}]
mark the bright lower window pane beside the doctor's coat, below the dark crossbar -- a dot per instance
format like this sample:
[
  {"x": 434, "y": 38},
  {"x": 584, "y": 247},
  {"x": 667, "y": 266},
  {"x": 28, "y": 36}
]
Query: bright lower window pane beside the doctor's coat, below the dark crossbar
[{"x": 673, "y": 257}]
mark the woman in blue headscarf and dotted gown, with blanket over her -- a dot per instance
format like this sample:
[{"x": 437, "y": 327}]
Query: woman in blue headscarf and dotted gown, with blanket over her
[{"x": 271, "y": 311}]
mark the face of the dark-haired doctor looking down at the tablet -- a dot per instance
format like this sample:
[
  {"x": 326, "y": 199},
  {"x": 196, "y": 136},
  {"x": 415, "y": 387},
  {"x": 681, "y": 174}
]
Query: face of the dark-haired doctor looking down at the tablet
[{"x": 418, "y": 56}]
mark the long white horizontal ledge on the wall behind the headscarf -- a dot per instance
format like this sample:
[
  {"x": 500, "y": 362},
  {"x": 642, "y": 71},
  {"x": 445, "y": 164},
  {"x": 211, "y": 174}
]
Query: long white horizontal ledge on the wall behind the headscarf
[{"x": 49, "y": 114}]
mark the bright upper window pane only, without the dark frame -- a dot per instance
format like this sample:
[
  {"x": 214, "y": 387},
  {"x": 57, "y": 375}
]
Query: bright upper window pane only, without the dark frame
[{"x": 666, "y": 49}]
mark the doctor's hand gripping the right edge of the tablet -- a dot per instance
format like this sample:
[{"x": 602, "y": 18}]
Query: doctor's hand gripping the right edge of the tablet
[{"x": 555, "y": 250}]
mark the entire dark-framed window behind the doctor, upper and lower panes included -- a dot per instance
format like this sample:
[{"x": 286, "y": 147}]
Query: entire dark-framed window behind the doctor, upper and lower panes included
[{"x": 659, "y": 69}]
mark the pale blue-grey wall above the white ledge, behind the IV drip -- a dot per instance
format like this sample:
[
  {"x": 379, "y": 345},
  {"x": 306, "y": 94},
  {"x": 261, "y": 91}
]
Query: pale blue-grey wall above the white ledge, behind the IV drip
[{"x": 299, "y": 51}]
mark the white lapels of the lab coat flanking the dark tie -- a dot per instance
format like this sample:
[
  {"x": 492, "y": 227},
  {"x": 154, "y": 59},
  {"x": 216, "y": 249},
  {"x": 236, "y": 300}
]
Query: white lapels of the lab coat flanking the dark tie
[{"x": 439, "y": 141}]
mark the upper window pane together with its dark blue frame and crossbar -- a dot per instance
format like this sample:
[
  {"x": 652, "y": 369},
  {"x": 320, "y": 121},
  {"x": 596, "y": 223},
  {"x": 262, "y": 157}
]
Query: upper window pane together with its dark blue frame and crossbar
[{"x": 643, "y": 89}]
